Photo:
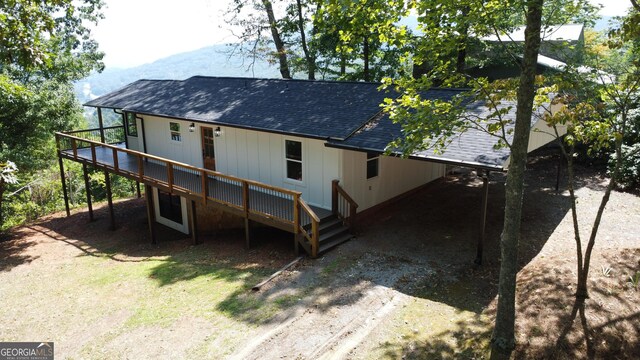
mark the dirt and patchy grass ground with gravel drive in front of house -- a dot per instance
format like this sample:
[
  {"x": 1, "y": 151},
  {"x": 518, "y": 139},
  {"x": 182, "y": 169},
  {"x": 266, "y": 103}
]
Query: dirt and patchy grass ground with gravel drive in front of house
[{"x": 406, "y": 287}]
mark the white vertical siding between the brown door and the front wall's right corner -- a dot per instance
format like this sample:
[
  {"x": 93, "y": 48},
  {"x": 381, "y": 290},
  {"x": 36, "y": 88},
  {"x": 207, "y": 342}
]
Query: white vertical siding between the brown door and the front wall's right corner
[{"x": 260, "y": 156}]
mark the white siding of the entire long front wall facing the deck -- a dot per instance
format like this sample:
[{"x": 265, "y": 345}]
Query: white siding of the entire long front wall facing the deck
[{"x": 251, "y": 155}]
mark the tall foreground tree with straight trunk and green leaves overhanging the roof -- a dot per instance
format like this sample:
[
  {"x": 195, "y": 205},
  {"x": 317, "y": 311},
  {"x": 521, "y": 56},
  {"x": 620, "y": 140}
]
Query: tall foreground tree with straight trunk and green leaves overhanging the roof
[{"x": 431, "y": 123}]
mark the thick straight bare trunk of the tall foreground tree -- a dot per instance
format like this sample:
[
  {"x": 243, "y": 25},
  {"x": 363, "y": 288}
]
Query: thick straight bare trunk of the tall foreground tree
[{"x": 503, "y": 341}]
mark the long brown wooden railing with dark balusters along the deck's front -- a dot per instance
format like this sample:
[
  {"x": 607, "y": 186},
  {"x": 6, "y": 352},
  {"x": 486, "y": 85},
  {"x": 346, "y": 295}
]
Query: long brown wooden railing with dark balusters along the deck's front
[{"x": 255, "y": 200}]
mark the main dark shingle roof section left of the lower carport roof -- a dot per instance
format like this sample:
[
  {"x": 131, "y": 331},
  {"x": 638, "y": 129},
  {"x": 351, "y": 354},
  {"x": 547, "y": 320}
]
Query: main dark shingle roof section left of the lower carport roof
[{"x": 319, "y": 109}]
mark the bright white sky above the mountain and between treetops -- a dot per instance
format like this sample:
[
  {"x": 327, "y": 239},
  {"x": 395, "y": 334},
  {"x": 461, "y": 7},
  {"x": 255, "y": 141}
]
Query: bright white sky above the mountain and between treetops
[{"x": 136, "y": 32}]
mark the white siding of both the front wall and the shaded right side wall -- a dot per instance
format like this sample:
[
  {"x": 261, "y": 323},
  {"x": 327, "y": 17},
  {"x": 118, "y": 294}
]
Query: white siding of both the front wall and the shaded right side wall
[{"x": 260, "y": 156}]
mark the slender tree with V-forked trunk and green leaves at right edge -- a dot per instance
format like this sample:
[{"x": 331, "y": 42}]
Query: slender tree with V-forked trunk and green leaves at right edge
[{"x": 597, "y": 109}]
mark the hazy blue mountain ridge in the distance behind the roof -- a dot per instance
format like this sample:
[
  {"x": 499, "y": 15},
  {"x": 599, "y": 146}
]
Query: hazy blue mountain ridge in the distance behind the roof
[{"x": 210, "y": 61}]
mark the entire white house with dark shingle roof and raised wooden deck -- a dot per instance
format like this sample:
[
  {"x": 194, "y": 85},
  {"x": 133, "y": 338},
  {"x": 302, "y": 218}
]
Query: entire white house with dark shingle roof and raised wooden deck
[{"x": 294, "y": 154}]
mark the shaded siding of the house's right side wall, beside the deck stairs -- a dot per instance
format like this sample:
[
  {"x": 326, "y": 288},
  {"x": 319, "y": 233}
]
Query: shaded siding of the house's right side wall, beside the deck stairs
[{"x": 395, "y": 177}]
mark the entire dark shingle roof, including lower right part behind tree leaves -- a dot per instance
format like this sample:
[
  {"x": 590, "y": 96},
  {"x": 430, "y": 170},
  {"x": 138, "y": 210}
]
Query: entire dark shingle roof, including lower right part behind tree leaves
[{"x": 346, "y": 113}]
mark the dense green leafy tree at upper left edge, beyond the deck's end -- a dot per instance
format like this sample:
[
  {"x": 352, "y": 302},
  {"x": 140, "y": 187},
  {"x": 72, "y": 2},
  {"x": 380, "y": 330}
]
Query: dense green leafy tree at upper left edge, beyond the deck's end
[{"x": 45, "y": 47}]
